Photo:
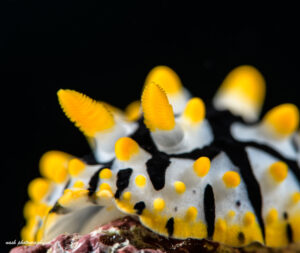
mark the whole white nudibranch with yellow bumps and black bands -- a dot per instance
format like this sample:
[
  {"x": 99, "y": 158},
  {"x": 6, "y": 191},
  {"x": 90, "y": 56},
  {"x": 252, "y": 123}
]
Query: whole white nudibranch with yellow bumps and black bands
[{"x": 184, "y": 168}]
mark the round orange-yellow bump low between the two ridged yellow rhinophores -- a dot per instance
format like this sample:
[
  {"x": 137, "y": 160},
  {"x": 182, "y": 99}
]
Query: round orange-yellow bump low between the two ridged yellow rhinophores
[{"x": 125, "y": 148}]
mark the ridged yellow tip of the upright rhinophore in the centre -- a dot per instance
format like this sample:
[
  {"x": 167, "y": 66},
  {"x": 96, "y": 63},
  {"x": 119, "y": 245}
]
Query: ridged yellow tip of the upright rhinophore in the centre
[{"x": 158, "y": 113}]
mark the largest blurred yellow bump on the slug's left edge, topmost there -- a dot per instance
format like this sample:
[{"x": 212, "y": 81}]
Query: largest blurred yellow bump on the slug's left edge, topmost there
[{"x": 53, "y": 165}]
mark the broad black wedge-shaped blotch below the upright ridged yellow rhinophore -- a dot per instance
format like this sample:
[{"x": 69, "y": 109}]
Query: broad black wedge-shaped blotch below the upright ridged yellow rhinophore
[{"x": 156, "y": 168}]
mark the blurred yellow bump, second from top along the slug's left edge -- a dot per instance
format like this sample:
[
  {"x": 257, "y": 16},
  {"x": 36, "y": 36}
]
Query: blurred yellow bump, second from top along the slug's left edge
[{"x": 38, "y": 188}]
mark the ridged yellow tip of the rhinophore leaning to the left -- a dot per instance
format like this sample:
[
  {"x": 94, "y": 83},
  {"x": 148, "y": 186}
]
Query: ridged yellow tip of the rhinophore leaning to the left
[{"x": 88, "y": 115}]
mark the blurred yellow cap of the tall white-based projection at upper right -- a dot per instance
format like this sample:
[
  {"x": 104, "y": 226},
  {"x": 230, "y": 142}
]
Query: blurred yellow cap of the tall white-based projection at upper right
[{"x": 246, "y": 81}]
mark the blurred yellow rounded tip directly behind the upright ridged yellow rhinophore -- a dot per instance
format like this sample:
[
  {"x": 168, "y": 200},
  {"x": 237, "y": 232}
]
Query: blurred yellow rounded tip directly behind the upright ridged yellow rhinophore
[{"x": 166, "y": 78}]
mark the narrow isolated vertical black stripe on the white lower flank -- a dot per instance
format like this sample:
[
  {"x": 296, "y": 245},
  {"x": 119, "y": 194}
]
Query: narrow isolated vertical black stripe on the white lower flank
[{"x": 209, "y": 210}]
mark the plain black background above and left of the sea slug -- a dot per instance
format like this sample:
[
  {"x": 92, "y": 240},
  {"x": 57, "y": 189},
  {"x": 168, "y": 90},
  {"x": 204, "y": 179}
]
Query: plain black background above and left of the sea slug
[{"x": 105, "y": 50}]
